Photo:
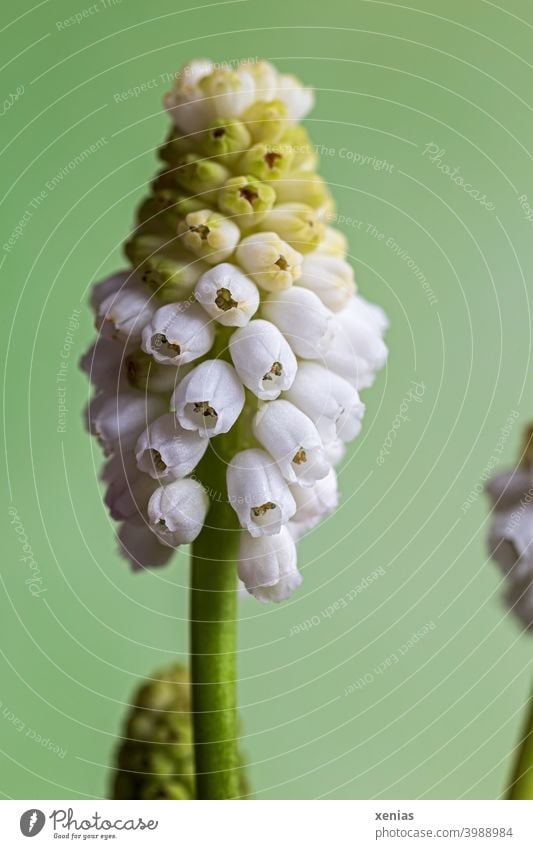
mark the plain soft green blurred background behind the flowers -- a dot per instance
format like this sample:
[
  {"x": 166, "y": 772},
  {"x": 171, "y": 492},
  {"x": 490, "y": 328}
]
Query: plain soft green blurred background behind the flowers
[{"x": 435, "y": 719}]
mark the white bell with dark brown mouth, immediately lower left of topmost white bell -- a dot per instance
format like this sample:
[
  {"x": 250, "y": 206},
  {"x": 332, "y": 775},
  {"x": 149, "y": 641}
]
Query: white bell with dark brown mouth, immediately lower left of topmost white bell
[{"x": 178, "y": 333}]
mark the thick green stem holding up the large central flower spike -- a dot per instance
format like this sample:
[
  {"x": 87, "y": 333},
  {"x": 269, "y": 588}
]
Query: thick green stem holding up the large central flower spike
[{"x": 213, "y": 641}]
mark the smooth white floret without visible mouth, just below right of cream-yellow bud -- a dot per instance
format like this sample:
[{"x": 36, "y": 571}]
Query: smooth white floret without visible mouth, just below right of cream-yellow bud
[{"x": 303, "y": 319}]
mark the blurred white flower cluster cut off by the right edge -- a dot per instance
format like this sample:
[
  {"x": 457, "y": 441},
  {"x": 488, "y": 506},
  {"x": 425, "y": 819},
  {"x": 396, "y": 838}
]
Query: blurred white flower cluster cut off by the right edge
[{"x": 511, "y": 537}]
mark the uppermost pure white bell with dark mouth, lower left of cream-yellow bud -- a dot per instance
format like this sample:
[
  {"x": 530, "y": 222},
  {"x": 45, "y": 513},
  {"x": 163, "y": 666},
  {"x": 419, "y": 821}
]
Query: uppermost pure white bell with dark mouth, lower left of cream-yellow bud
[{"x": 227, "y": 295}]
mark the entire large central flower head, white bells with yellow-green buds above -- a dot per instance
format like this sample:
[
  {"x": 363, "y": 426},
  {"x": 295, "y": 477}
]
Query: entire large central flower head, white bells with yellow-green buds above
[{"x": 238, "y": 322}]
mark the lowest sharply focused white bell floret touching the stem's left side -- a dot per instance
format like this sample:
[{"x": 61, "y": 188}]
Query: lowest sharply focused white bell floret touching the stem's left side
[{"x": 177, "y": 511}]
